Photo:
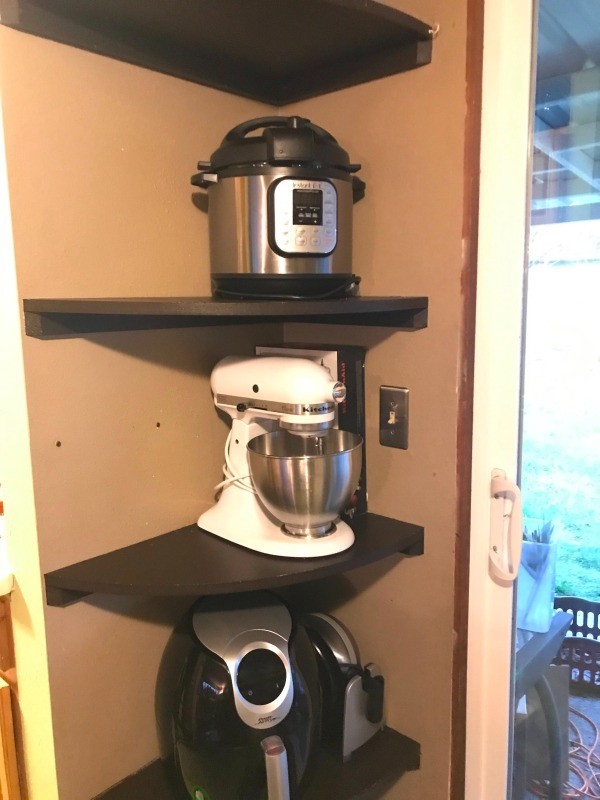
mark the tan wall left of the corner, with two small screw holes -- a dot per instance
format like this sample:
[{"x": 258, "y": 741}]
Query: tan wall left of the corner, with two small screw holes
[{"x": 99, "y": 158}]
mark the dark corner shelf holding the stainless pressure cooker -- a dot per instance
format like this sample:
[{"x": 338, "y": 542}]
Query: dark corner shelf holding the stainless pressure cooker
[{"x": 59, "y": 318}]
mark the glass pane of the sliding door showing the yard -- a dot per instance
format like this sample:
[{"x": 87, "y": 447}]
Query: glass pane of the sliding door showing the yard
[{"x": 557, "y": 681}]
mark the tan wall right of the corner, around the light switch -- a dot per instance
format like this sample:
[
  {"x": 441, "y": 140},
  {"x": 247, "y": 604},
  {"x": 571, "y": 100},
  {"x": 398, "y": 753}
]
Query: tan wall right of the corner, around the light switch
[{"x": 408, "y": 133}]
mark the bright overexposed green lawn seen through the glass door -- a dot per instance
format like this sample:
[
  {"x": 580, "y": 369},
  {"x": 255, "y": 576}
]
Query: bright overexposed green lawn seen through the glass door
[{"x": 560, "y": 472}]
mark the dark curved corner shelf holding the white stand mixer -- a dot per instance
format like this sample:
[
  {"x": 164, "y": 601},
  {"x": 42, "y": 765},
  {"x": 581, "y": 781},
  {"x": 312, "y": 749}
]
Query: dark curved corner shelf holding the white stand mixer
[{"x": 192, "y": 562}]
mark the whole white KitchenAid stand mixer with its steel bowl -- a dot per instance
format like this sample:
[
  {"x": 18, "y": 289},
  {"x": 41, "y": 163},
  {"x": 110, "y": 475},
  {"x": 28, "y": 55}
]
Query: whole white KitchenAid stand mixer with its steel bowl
[{"x": 297, "y": 396}]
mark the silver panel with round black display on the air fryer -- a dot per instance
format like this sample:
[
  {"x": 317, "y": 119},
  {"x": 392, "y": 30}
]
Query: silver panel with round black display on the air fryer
[{"x": 253, "y": 641}]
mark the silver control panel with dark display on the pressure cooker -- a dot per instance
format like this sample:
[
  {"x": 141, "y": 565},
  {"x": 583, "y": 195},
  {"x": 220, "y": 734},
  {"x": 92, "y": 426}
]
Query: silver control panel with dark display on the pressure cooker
[{"x": 304, "y": 217}]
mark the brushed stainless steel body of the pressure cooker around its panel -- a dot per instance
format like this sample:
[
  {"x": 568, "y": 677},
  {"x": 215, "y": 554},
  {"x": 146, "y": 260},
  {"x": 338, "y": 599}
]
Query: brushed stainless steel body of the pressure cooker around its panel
[{"x": 240, "y": 210}]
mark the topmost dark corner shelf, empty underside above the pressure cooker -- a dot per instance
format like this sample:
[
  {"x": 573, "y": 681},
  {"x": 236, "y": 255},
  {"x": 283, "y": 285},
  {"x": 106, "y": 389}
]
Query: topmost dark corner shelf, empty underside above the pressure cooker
[{"x": 276, "y": 51}]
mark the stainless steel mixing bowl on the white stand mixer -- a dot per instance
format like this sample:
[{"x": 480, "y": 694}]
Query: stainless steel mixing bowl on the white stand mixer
[{"x": 305, "y": 481}]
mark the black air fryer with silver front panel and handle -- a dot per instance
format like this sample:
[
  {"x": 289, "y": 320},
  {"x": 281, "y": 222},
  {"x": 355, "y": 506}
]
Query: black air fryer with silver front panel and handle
[{"x": 238, "y": 701}]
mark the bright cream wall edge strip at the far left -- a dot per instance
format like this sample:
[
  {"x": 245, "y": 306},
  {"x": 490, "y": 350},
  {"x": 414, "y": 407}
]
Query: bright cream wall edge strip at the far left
[{"x": 33, "y": 714}]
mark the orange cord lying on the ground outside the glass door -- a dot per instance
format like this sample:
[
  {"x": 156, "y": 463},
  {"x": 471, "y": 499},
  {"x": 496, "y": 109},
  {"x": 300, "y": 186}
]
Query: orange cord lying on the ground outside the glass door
[{"x": 584, "y": 763}]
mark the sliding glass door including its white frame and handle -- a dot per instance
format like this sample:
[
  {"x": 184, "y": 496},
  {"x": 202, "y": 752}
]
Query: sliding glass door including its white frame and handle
[{"x": 526, "y": 736}]
